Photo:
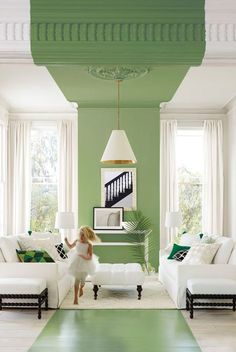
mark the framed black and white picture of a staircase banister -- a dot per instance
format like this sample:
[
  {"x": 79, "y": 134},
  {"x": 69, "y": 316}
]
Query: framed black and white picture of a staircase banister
[{"x": 118, "y": 188}]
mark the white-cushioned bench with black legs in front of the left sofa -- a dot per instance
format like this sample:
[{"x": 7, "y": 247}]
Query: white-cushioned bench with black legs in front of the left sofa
[{"x": 22, "y": 289}]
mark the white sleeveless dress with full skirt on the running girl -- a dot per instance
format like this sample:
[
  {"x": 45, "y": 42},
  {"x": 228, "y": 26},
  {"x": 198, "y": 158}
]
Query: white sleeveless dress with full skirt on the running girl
[{"x": 79, "y": 265}]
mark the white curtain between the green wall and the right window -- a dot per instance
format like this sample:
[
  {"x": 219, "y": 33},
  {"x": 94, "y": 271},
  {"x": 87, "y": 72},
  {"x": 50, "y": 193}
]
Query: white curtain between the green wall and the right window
[{"x": 168, "y": 177}]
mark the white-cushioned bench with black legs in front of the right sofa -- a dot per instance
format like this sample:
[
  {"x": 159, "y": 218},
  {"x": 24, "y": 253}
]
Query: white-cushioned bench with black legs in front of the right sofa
[{"x": 210, "y": 289}]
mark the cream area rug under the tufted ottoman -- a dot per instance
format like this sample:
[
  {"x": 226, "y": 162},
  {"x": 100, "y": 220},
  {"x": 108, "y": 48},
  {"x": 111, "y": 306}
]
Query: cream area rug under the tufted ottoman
[{"x": 154, "y": 296}]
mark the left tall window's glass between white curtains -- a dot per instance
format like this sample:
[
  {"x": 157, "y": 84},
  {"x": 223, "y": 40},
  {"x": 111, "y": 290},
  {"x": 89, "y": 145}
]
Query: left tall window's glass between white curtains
[{"x": 44, "y": 178}]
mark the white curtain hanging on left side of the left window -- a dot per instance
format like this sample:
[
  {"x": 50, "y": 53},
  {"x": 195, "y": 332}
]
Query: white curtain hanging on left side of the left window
[{"x": 18, "y": 177}]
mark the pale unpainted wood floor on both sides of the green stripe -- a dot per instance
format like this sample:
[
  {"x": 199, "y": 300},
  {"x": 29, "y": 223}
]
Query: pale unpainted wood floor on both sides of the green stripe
[{"x": 214, "y": 330}]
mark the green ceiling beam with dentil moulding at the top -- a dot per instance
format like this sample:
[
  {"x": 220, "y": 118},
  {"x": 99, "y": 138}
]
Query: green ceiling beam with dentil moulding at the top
[{"x": 150, "y": 32}]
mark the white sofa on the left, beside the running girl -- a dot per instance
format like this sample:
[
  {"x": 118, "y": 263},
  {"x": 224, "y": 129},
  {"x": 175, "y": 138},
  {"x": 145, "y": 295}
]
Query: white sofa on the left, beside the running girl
[{"x": 56, "y": 274}]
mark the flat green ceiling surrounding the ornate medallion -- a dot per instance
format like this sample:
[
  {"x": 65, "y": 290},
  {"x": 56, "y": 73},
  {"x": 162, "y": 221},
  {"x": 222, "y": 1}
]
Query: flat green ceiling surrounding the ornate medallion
[{"x": 148, "y": 91}]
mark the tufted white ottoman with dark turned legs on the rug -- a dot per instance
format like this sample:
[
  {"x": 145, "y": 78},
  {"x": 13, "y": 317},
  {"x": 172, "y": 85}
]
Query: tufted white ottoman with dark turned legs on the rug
[{"x": 118, "y": 274}]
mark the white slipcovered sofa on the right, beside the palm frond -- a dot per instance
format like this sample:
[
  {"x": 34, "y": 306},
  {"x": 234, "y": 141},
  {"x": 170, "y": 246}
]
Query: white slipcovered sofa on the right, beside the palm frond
[{"x": 174, "y": 274}]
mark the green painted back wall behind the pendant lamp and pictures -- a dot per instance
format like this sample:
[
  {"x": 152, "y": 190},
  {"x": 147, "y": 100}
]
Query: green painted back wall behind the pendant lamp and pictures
[{"x": 142, "y": 128}]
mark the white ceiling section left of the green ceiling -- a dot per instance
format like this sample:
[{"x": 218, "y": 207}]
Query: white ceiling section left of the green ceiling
[{"x": 30, "y": 88}]
